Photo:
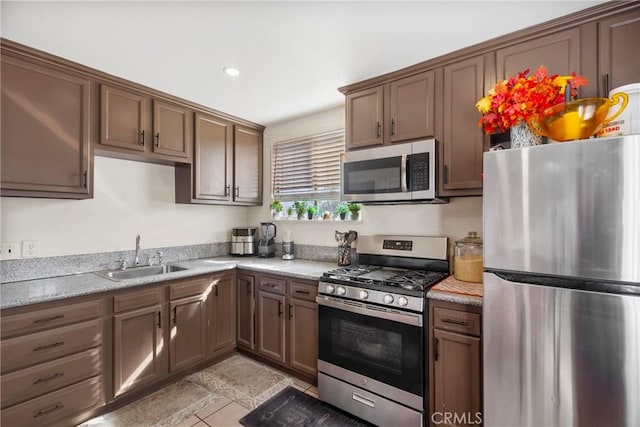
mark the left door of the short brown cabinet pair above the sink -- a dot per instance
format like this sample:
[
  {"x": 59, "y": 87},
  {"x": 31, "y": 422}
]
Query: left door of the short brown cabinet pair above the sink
[{"x": 123, "y": 119}]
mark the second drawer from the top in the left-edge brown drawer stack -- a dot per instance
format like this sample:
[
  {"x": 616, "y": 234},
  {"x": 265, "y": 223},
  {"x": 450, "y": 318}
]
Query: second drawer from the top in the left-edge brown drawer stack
[{"x": 41, "y": 347}]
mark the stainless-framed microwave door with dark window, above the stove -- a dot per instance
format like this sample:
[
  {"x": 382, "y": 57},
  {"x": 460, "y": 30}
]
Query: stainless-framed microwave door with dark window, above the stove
[{"x": 375, "y": 174}]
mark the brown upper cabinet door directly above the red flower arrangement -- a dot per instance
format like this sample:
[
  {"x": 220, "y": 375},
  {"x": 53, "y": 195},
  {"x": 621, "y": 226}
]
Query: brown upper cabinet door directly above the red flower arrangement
[{"x": 559, "y": 52}]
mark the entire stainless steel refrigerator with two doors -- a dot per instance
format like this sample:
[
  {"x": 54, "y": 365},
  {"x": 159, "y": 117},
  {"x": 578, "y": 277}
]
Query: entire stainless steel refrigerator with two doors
[{"x": 561, "y": 309}]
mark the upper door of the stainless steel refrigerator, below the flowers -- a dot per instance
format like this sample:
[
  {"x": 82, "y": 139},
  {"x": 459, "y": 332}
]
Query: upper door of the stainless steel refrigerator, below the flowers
[{"x": 568, "y": 209}]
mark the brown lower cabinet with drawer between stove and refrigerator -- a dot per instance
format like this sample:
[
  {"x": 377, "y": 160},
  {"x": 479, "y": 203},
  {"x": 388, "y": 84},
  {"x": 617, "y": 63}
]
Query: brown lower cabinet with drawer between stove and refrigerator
[{"x": 455, "y": 364}]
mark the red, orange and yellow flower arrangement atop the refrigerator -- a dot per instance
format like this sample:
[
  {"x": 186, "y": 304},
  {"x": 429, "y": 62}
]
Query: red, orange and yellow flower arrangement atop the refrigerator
[{"x": 519, "y": 98}]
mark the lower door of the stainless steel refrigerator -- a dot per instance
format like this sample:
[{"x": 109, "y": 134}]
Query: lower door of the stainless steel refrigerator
[{"x": 559, "y": 357}]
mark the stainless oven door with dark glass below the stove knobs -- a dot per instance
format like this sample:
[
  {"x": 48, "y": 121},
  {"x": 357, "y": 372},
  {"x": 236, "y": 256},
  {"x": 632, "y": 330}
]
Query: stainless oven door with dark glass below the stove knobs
[{"x": 384, "y": 346}]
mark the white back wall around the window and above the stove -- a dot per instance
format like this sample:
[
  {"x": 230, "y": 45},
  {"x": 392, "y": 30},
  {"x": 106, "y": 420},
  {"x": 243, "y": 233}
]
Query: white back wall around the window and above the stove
[{"x": 453, "y": 220}]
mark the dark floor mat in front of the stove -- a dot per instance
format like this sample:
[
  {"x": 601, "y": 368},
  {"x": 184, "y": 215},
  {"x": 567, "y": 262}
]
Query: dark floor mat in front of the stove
[{"x": 292, "y": 407}]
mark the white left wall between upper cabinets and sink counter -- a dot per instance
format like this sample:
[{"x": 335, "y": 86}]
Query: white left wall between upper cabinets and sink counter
[{"x": 129, "y": 198}]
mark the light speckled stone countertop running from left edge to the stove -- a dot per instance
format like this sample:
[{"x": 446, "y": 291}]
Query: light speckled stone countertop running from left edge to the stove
[{"x": 15, "y": 294}]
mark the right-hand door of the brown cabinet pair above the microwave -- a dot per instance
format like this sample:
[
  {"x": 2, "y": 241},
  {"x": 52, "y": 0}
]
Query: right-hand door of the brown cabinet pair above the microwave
[{"x": 412, "y": 102}]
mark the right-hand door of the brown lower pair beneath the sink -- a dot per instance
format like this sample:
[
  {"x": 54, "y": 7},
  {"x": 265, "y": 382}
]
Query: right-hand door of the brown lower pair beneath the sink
[{"x": 188, "y": 332}]
